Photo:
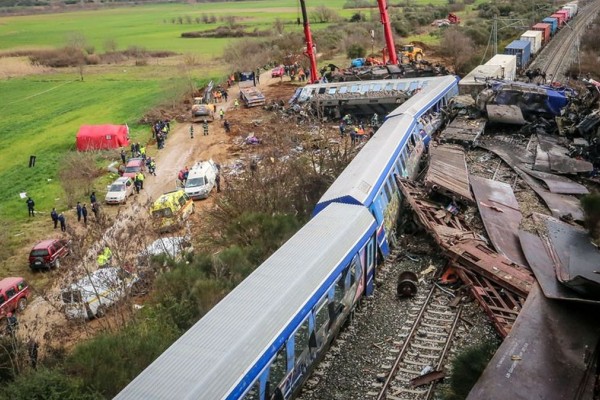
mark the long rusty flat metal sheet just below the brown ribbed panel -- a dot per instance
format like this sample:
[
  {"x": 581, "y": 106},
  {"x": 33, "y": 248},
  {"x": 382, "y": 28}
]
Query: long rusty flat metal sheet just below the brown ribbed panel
[{"x": 501, "y": 216}]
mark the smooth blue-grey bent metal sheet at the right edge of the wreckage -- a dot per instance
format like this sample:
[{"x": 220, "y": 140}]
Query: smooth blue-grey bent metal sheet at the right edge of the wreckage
[{"x": 578, "y": 265}]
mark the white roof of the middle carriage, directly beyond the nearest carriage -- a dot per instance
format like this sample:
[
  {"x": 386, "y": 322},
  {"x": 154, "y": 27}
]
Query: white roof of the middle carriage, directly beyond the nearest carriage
[{"x": 361, "y": 179}]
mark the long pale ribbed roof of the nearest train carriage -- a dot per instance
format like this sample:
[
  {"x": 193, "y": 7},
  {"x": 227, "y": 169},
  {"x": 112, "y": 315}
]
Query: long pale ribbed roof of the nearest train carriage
[{"x": 245, "y": 329}]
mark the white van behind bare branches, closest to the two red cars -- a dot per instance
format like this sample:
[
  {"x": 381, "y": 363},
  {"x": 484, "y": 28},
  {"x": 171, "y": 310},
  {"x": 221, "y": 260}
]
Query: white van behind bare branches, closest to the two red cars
[{"x": 91, "y": 296}]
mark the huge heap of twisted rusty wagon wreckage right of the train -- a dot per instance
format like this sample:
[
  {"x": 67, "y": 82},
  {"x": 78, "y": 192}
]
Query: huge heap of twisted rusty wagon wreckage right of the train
[{"x": 517, "y": 258}]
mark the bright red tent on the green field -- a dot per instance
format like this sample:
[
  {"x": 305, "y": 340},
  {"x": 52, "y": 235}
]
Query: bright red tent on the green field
[{"x": 99, "y": 137}]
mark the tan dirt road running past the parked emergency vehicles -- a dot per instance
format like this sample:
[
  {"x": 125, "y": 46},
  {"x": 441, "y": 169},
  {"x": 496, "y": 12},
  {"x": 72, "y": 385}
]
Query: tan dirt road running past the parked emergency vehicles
[{"x": 43, "y": 320}]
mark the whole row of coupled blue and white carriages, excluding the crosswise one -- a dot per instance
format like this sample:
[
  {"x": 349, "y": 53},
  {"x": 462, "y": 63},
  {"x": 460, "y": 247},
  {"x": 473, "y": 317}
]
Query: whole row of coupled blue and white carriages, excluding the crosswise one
[{"x": 264, "y": 338}]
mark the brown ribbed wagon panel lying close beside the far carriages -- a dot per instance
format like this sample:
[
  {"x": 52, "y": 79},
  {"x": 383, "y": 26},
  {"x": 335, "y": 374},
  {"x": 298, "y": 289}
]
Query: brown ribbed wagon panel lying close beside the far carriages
[{"x": 448, "y": 172}]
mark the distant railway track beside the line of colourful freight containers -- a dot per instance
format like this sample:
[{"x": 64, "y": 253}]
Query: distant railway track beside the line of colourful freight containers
[{"x": 561, "y": 54}]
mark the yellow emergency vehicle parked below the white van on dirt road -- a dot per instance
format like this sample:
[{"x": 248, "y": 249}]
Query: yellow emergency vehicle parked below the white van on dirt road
[{"x": 171, "y": 209}]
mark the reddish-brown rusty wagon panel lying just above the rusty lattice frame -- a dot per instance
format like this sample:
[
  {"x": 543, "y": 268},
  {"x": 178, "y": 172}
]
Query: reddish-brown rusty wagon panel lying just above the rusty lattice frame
[{"x": 477, "y": 257}]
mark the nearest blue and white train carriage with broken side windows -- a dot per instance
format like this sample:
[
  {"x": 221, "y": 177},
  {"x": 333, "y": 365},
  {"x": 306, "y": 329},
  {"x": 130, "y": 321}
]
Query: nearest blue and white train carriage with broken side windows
[{"x": 263, "y": 339}]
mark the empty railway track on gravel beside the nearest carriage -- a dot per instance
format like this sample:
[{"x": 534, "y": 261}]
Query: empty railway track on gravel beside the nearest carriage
[{"x": 421, "y": 348}]
